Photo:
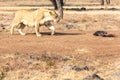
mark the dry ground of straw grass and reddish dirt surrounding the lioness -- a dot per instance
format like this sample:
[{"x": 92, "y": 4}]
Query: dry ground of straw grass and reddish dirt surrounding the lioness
[{"x": 73, "y": 53}]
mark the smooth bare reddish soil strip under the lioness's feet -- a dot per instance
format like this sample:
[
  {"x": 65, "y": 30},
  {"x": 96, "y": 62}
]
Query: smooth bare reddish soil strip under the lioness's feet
[{"x": 61, "y": 42}]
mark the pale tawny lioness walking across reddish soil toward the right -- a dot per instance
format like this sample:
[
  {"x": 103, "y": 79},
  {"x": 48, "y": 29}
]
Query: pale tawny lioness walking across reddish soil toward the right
[{"x": 34, "y": 18}]
